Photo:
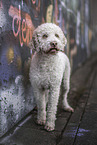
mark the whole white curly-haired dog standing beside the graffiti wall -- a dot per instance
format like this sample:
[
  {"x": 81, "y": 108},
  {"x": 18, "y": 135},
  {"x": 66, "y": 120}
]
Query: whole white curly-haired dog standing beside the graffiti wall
[{"x": 49, "y": 70}]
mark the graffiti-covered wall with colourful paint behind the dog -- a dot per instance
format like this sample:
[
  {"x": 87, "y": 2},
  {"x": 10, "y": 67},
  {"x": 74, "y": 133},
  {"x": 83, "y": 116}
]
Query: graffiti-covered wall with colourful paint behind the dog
[{"x": 18, "y": 19}]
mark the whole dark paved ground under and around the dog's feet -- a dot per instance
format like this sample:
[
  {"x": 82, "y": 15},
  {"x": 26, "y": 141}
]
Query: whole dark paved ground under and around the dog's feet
[{"x": 78, "y": 128}]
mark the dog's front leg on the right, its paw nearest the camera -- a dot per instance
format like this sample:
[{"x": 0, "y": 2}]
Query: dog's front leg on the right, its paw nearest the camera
[{"x": 52, "y": 108}]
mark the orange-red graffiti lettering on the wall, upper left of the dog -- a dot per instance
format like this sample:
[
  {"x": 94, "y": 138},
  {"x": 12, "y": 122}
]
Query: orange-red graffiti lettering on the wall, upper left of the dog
[{"x": 22, "y": 28}]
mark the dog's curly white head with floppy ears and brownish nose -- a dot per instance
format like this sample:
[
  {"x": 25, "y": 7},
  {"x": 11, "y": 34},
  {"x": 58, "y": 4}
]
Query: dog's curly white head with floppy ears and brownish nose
[{"x": 48, "y": 38}]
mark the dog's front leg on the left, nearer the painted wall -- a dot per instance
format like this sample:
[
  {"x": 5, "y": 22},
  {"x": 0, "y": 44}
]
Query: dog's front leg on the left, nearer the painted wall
[{"x": 41, "y": 105}]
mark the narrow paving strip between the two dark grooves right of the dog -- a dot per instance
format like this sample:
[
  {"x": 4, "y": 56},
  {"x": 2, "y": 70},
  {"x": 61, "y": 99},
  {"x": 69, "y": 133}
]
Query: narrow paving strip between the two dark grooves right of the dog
[{"x": 68, "y": 136}]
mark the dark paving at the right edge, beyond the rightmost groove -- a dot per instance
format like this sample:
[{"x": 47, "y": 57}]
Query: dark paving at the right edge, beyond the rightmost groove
[{"x": 89, "y": 121}]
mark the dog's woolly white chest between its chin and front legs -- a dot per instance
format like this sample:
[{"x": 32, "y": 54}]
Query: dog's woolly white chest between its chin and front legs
[{"x": 48, "y": 69}]
